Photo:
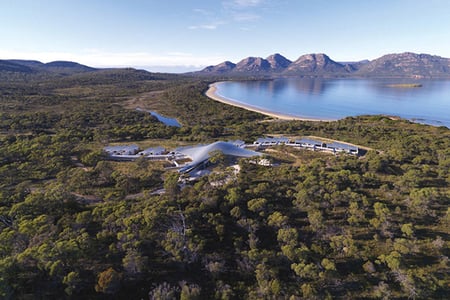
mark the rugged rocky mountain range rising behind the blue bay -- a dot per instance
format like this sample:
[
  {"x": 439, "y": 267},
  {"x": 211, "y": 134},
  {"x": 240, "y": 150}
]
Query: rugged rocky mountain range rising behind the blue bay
[{"x": 392, "y": 65}]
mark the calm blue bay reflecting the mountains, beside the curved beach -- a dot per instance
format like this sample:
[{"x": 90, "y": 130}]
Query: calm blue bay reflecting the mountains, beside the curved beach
[{"x": 338, "y": 98}]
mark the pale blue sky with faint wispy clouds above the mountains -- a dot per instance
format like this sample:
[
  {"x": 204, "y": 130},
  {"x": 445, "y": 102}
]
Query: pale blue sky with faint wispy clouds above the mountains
[{"x": 184, "y": 35}]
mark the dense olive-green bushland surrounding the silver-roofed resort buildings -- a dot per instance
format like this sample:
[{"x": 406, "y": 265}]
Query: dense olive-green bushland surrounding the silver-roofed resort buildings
[{"x": 74, "y": 225}]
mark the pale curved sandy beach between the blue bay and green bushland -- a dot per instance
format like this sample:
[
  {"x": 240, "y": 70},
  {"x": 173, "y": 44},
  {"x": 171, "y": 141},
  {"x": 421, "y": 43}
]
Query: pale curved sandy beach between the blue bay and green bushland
[{"x": 212, "y": 94}]
